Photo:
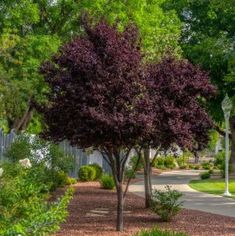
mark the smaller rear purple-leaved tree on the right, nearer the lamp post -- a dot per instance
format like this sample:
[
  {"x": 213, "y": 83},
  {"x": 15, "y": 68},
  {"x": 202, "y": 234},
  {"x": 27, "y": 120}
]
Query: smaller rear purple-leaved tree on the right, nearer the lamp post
[{"x": 177, "y": 90}]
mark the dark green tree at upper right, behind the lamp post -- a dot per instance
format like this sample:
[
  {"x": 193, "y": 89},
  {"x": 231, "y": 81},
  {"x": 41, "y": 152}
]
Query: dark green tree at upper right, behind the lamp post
[{"x": 208, "y": 40}]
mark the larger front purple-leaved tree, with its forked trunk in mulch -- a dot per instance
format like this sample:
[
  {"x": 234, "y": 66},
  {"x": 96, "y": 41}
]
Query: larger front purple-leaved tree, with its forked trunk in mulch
[{"x": 98, "y": 97}]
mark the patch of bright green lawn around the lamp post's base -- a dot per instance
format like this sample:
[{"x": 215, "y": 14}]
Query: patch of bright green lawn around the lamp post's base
[{"x": 212, "y": 186}]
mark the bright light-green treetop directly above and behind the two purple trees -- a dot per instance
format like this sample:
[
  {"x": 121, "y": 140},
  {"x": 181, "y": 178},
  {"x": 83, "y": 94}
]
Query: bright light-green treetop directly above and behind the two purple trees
[{"x": 159, "y": 30}]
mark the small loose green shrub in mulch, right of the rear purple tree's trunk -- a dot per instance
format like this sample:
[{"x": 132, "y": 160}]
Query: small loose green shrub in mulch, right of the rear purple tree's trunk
[{"x": 166, "y": 204}]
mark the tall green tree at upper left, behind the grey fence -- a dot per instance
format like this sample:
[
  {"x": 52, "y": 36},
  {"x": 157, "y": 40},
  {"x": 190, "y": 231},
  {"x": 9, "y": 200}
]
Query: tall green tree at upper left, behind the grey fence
[{"x": 30, "y": 31}]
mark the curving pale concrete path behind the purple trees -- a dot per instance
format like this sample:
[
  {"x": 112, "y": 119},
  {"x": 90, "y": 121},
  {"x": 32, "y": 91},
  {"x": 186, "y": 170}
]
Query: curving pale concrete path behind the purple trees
[{"x": 192, "y": 199}]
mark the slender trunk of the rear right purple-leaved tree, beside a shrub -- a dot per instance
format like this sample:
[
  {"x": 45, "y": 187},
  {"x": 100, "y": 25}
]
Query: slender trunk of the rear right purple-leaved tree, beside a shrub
[{"x": 147, "y": 178}]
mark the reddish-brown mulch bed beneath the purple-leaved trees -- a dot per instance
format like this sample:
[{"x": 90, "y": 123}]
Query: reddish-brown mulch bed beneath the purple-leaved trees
[{"x": 89, "y": 199}]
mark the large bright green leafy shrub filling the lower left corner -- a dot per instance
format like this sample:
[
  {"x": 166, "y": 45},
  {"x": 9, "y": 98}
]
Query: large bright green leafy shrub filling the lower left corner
[{"x": 24, "y": 206}]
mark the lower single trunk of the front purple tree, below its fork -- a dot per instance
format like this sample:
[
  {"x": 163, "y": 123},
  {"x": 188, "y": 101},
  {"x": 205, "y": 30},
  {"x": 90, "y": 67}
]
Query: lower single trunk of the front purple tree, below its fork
[{"x": 120, "y": 205}]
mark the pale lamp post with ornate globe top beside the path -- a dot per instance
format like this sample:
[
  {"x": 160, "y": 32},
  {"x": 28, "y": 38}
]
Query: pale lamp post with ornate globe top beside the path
[{"x": 226, "y": 106}]
